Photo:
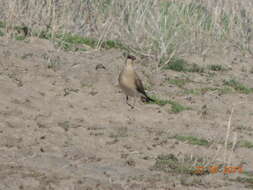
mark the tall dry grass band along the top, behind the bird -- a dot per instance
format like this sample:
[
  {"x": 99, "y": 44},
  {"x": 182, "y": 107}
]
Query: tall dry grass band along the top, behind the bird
[{"x": 152, "y": 28}]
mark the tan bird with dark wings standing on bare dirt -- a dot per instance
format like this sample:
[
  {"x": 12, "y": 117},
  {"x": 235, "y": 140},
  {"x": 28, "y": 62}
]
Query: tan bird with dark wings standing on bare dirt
[{"x": 130, "y": 82}]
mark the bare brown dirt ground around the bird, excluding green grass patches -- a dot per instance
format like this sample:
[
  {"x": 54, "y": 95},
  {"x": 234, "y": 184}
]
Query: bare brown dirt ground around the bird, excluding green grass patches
[{"x": 65, "y": 125}]
